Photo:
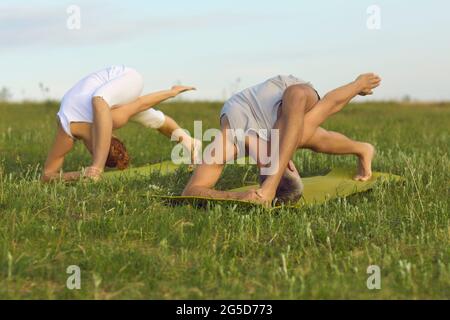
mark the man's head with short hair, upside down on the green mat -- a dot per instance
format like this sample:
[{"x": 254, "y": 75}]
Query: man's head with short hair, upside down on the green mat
[{"x": 291, "y": 186}]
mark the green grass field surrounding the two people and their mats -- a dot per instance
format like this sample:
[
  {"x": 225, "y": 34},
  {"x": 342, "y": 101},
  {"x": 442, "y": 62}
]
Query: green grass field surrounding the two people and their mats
[{"x": 129, "y": 246}]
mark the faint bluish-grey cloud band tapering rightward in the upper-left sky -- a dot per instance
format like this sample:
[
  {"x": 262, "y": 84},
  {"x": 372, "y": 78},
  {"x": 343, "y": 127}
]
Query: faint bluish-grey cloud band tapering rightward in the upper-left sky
[{"x": 46, "y": 27}]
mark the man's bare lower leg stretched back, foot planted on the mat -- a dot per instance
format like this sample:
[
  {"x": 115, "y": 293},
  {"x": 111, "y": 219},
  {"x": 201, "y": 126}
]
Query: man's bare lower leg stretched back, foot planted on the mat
[{"x": 329, "y": 142}]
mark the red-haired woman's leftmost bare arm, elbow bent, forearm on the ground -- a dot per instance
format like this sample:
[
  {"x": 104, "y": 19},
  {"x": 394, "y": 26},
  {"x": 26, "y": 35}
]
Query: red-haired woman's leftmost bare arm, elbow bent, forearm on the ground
[{"x": 55, "y": 159}]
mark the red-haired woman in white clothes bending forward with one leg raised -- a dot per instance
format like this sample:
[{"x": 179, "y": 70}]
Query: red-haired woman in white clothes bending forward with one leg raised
[{"x": 100, "y": 103}]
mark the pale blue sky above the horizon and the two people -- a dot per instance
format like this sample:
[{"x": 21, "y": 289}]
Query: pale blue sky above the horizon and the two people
[{"x": 212, "y": 44}]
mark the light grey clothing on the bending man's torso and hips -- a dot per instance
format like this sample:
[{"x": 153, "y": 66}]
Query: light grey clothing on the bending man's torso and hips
[{"x": 256, "y": 109}]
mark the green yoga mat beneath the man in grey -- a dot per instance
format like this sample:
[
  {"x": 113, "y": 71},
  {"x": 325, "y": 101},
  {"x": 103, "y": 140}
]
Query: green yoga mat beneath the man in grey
[{"x": 336, "y": 184}]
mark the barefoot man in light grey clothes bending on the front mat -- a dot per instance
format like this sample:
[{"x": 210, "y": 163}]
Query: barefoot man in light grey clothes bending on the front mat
[{"x": 293, "y": 109}]
